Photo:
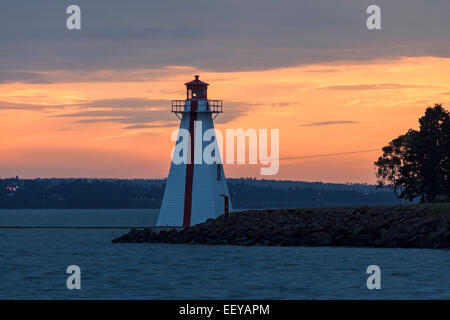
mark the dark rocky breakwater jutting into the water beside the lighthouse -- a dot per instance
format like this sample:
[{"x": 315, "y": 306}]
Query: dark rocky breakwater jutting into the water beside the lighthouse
[{"x": 391, "y": 227}]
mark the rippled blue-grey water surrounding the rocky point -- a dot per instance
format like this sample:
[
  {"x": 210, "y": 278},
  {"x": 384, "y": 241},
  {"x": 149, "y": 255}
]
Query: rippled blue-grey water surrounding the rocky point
[{"x": 33, "y": 265}]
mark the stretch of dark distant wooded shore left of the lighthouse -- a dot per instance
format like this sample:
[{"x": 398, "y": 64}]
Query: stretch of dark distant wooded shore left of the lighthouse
[{"x": 78, "y": 194}]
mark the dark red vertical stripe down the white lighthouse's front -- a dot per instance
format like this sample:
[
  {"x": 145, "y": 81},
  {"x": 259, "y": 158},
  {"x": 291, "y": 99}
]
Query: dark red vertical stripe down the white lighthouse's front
[{"x": 190, "y": 168}]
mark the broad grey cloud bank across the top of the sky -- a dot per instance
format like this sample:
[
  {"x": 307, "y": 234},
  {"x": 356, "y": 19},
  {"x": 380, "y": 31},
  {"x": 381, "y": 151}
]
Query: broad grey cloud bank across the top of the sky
[{"x": 220, "y": 36}]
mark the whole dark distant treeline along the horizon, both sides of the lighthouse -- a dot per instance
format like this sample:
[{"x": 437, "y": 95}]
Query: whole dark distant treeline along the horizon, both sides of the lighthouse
[{"x": 18, "y": 193}]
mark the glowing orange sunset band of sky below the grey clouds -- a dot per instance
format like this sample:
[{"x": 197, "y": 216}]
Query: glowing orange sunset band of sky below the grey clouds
[{"x": 319, "y": 109}]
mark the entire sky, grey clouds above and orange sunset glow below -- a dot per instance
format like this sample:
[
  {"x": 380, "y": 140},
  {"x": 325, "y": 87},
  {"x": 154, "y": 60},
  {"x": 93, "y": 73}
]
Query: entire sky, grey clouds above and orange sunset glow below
[{"x": 95, "y": 102}]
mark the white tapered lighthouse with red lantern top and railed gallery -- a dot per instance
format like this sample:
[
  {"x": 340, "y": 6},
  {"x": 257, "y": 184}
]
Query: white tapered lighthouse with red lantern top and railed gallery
[{"x": 195, "y": 190}]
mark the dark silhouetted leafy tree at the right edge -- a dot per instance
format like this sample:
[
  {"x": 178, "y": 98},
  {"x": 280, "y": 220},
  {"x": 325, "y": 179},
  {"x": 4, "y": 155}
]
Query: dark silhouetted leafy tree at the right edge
[{"x": 417, "y": 164}]
